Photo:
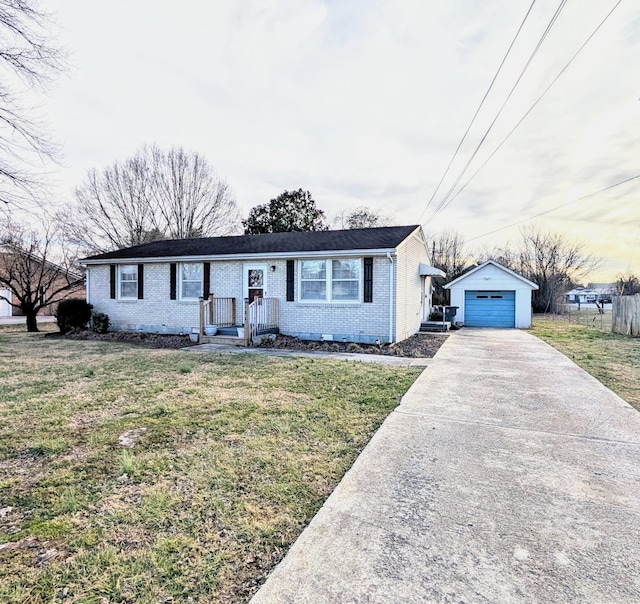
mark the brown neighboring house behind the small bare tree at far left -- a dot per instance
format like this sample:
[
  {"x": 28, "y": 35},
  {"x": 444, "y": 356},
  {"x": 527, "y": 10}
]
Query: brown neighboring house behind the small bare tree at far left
[{"x": 32, "y": 273}]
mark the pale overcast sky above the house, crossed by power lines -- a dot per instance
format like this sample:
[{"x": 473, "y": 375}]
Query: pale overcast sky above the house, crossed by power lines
[{"x": 363, "y": 102}]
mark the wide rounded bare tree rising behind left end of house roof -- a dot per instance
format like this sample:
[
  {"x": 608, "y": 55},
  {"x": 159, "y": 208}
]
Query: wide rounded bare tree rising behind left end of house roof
[{"x": 153, "y": 195}]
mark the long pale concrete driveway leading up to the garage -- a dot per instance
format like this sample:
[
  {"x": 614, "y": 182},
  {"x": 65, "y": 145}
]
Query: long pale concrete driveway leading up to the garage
[{"x": 507, "y": 474}]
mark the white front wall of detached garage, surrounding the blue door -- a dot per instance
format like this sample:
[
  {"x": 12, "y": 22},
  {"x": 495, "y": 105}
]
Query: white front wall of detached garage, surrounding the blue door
[{"x": 492, "y": 278}]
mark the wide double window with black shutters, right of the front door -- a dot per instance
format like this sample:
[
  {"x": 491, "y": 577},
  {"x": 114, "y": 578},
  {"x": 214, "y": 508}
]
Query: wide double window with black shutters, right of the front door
[{"x": 330, "y": 280}]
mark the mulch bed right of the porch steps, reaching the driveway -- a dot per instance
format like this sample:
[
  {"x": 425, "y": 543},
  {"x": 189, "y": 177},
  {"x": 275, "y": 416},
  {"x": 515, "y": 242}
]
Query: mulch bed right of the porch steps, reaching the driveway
[{"x": 421, "y": 345}]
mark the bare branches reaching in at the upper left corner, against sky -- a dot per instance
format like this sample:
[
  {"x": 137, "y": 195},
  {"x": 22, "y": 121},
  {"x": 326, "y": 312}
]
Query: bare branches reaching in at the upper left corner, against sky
[{"x": 27, "y": 61}]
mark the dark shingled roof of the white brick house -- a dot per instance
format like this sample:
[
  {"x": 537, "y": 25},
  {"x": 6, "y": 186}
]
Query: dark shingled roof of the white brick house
[{"x": 307, "y": 241}]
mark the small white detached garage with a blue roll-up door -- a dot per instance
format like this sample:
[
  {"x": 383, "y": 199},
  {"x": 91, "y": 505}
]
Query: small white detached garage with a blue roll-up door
[{"x": 491, "y": 295}]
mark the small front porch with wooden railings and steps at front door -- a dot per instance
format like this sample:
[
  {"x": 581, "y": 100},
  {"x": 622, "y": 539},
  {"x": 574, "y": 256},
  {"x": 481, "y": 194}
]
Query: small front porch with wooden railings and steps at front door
[{"x": 260, "y": 317}]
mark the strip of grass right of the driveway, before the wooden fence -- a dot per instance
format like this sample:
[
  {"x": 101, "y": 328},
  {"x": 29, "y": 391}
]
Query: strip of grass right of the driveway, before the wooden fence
[{"x": 611, "y": 358}]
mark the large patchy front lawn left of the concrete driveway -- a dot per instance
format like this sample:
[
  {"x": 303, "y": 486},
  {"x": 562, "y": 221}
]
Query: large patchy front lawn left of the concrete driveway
[{"x": 231, "y": 457}]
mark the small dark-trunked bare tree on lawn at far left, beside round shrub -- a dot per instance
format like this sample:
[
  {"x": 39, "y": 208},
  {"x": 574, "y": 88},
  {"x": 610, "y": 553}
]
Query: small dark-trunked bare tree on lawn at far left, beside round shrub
[{"x": 36, "y": 268}]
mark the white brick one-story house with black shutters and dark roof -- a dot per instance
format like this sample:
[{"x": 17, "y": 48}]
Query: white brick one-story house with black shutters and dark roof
[{"x": 359, "y": 285}]
